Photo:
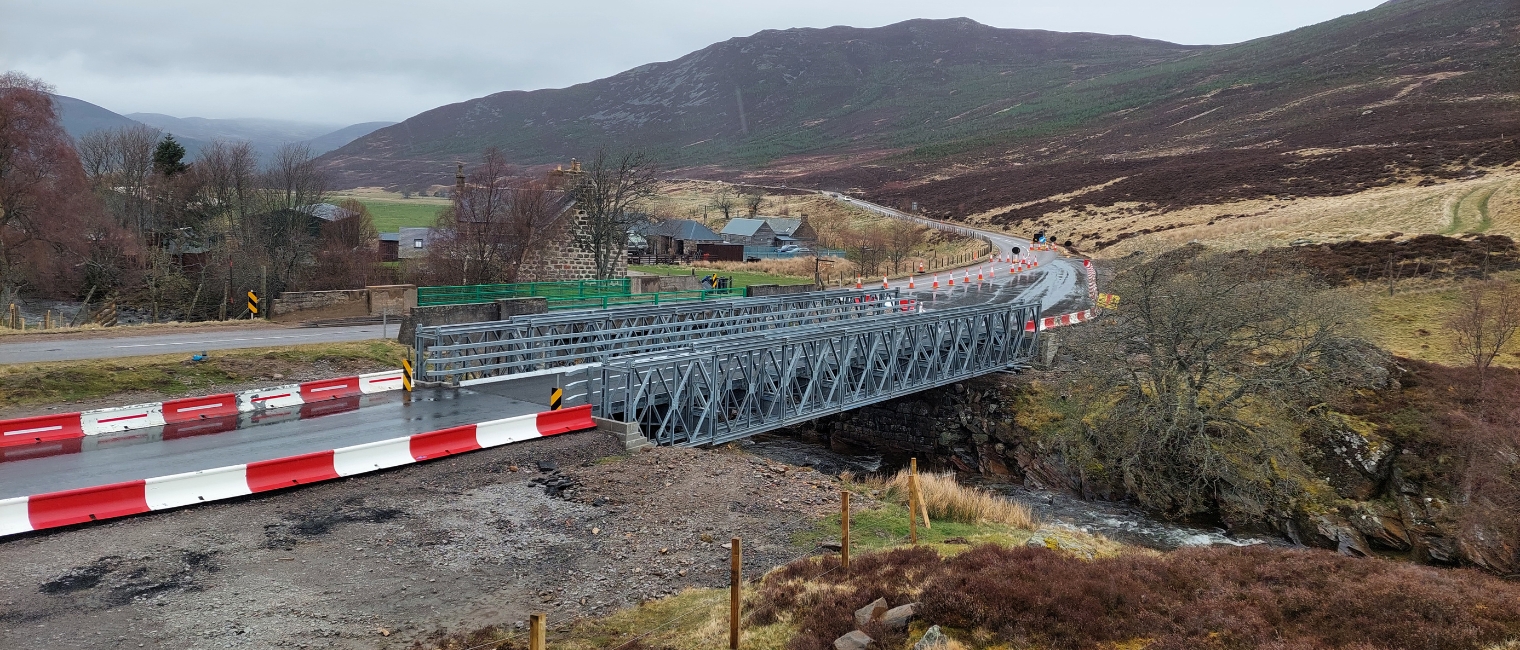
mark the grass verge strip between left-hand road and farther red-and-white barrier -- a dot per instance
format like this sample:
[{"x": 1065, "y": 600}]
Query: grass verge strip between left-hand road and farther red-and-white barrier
[{"x": 176, "y": 376}]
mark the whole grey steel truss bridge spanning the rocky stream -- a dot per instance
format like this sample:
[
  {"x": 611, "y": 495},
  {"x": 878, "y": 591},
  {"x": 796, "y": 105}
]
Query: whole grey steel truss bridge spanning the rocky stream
[{"x": 715, "y": 373}]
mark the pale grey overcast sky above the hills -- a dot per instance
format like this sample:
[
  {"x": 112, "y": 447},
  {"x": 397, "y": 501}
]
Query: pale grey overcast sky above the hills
[{"x": 347, "y": 62}]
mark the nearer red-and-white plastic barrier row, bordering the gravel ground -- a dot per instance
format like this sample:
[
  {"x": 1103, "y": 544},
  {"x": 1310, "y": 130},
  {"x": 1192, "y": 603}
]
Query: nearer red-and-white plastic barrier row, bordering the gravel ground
[{"x": 77, "y": 506}]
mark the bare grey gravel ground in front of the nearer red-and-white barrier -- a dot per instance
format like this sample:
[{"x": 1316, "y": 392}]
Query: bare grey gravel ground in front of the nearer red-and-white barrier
[{"x": 568, "y": 525}]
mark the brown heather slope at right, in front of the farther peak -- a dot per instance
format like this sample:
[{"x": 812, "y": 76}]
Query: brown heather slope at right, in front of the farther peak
[{"x": 1417, "y": 92}]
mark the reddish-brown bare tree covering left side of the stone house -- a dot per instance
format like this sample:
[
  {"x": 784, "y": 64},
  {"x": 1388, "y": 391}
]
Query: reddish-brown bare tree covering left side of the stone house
[{"x": 498, "y": 222}]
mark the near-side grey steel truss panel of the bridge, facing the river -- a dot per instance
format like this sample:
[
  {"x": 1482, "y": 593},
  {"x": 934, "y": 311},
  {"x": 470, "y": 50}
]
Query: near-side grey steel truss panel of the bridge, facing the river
[{"x": 724, "y": 393}]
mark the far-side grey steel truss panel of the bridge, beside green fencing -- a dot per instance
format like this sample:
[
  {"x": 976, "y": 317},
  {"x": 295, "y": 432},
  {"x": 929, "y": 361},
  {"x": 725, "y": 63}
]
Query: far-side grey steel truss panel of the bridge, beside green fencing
[{"x": 545, "y": 342}]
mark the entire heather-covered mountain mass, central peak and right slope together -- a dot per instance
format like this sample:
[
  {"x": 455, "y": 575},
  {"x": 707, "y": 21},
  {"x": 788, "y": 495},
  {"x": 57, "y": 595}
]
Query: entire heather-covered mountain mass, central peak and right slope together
[{"x": 964, "y": 118}]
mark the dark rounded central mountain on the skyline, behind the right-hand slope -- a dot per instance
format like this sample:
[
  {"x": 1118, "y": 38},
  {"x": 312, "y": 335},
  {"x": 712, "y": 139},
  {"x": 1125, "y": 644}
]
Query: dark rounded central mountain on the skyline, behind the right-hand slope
[{"x": 750, "y": 101}]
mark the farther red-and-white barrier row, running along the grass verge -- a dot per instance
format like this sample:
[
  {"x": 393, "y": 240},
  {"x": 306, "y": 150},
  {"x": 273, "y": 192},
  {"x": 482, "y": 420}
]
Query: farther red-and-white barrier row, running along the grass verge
[{"x": 95, "y": 423}]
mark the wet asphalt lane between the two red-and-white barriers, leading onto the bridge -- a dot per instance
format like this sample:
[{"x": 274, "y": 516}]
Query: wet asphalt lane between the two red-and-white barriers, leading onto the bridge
[{"x": 393, "y": 415}]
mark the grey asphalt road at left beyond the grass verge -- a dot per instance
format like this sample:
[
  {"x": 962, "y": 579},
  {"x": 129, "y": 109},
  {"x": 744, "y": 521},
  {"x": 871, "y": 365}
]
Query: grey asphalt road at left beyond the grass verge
[{"x": 188, "y": 342}]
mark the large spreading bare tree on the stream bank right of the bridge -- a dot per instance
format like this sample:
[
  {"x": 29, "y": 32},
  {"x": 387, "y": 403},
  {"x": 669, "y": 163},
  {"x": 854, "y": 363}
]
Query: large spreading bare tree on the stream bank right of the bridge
[{"x": 1188, "y": 396}]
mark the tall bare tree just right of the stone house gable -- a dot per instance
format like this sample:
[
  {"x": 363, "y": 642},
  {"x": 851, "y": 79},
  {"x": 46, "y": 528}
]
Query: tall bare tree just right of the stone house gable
[{"x": 610, "y": 192}]
